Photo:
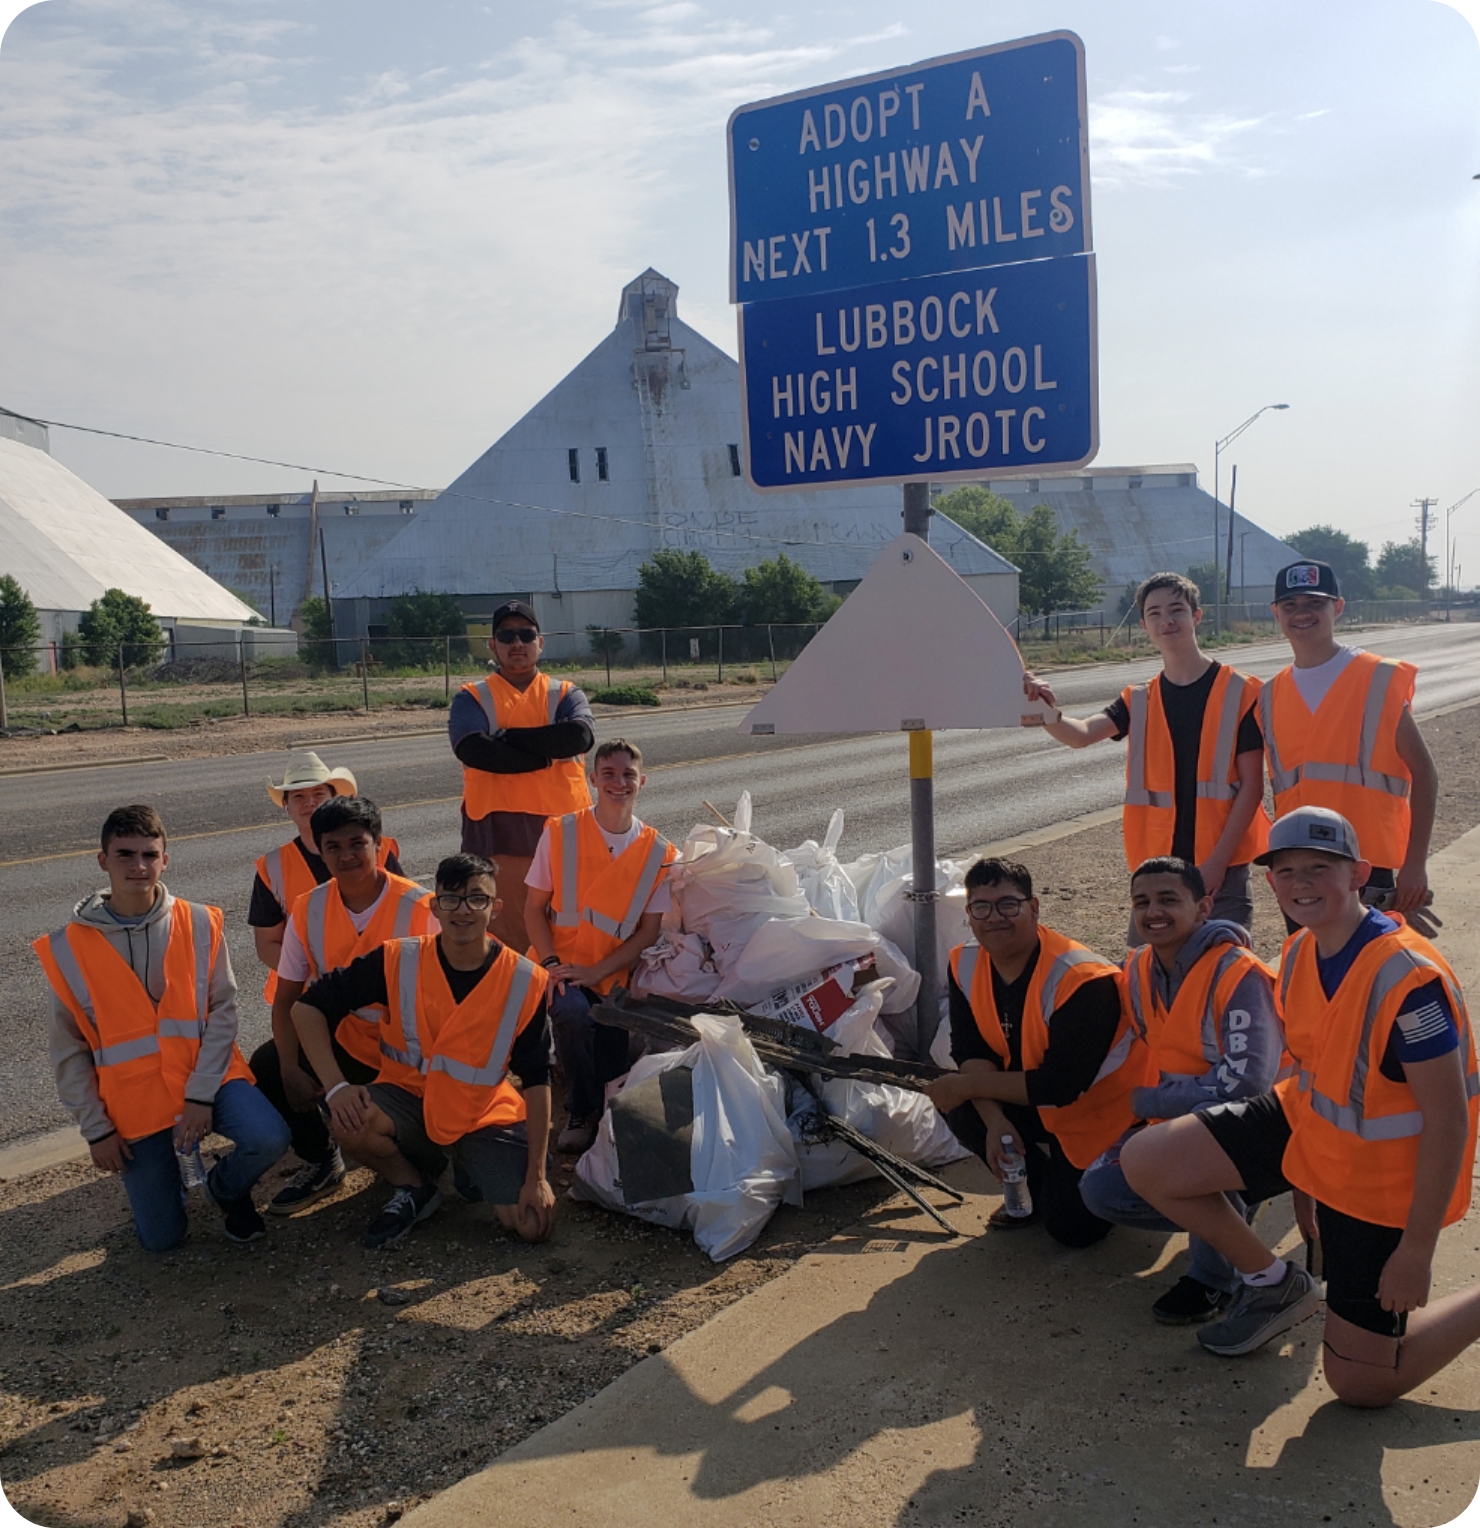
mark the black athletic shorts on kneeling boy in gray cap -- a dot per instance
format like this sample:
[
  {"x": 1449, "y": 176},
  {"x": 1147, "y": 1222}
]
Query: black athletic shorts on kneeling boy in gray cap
[{"x": 1253, "y": 1135}]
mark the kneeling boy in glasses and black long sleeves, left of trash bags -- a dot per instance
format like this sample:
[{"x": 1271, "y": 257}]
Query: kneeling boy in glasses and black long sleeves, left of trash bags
[{"x": 464, "y": 1017}]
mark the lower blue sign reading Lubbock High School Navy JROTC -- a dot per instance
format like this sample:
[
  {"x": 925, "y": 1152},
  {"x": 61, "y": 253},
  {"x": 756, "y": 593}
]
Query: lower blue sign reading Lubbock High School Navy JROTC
[{"x": 971, "y": 375}]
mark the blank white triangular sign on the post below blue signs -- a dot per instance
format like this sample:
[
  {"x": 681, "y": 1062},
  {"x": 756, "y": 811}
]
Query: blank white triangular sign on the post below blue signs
[{"x": 913, "y": 647}]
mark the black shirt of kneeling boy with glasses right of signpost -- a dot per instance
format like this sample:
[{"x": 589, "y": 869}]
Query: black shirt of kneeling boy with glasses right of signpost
[{"x": 1079, "y": 1040}]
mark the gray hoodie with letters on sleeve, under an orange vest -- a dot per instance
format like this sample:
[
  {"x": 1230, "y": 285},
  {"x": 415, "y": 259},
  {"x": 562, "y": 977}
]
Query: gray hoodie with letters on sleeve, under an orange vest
[{"x": 1250, "y": 1037}]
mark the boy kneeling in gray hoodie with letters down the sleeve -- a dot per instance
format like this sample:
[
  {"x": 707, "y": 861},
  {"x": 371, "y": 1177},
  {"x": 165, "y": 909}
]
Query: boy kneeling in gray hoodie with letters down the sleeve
[{"x": 1204, "y": 1005}]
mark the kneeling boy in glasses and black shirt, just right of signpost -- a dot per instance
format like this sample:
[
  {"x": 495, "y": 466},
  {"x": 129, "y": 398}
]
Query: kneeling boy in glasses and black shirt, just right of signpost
[{"x": 1045, "y": 1052}]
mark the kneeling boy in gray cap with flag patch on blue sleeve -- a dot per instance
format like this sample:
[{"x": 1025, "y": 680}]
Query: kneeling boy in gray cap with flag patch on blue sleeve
[{"x": 1375, "y": 1133}]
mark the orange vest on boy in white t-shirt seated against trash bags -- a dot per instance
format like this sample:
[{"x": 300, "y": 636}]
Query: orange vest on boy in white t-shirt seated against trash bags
[{"x": 599, "y": 898}]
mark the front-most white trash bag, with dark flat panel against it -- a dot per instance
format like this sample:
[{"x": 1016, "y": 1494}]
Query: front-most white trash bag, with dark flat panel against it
[{"x": 743, "y": 1161}]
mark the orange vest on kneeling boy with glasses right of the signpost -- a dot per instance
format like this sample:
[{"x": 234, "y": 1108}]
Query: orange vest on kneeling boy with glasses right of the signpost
[{"x": 1102, "y": 1115}]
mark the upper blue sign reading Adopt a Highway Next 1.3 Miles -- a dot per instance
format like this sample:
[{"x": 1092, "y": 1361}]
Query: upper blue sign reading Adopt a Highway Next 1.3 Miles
[{"x": 958, "y": 163}]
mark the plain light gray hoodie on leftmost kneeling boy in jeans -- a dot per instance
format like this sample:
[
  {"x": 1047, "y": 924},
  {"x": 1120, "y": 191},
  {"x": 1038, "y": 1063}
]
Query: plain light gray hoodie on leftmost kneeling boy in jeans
[{"x": 143, "y": 945}]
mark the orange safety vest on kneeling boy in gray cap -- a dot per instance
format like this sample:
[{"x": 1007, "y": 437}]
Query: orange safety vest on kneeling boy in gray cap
[{"x": 1354, "y": 1133}]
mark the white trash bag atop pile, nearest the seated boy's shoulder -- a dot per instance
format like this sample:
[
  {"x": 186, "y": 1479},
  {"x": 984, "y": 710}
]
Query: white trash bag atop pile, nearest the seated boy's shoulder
[{"x": 729, "y": 882}]
